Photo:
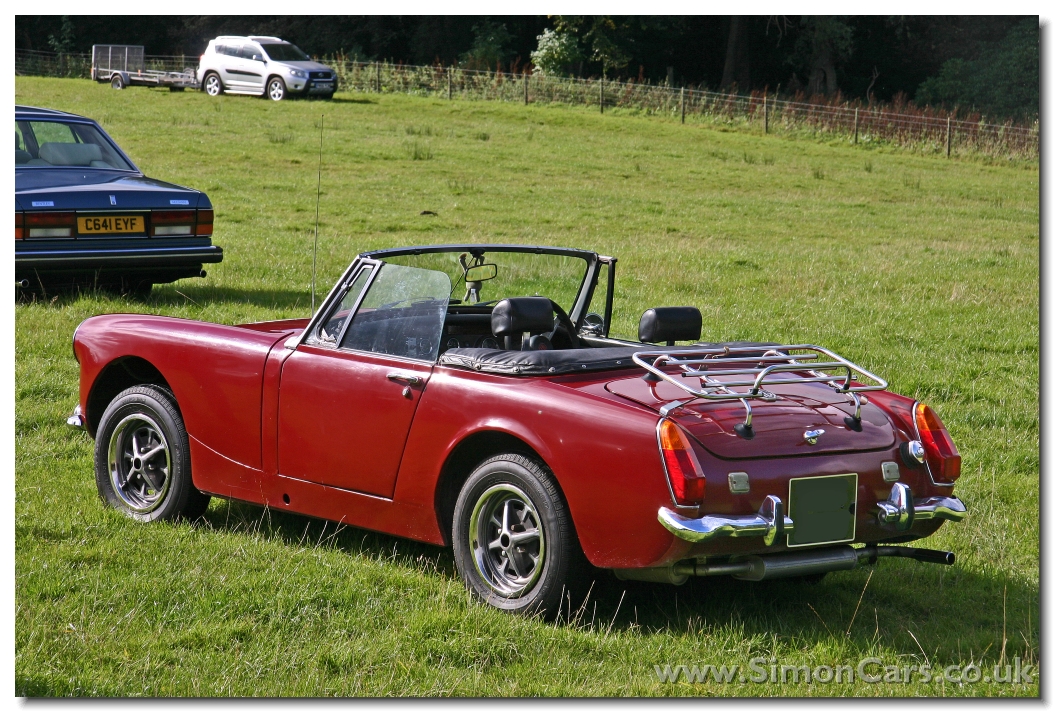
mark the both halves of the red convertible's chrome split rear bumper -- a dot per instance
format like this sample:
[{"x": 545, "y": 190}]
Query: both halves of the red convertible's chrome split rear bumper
[{"x": 771, "y": 523}]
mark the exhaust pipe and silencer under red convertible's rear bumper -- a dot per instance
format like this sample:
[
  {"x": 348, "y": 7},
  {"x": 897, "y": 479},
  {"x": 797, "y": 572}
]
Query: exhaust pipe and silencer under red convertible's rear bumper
[{"x": 785, "y": 566}]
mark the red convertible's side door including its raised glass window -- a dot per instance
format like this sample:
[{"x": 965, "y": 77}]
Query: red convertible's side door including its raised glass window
[{"x": 348, "y": 394}]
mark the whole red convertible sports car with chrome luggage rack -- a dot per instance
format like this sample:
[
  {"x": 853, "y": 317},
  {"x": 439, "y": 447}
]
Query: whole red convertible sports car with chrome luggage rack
[{"x": 473, "y": 397}]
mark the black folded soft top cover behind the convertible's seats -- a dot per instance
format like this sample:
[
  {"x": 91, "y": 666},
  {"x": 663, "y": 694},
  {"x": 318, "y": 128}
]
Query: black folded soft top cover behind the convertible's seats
[{"x": 563, "y": 361}]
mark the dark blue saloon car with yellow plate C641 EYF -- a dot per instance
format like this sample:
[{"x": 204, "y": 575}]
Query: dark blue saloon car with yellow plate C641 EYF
[{"x": 86, "y": 215}]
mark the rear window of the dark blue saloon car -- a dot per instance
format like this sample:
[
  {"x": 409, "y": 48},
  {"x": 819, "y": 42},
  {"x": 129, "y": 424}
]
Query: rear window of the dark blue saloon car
[{"x": 57, "y": 144}]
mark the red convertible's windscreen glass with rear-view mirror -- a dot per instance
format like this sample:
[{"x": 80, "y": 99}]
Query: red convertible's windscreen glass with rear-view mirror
[{"x": 516, "y": 274}]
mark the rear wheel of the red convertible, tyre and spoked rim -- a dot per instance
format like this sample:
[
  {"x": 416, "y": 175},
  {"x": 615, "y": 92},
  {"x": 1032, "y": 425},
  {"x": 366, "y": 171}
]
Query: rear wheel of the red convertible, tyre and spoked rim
[{"x": 514, "y": 540}]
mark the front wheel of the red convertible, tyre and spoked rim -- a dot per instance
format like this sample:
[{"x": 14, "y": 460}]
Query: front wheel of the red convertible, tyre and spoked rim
[{"x": 143, "y": 465}]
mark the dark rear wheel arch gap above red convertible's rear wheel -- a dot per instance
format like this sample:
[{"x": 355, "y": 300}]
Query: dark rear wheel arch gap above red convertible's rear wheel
[{"x": 465, "y": 458}]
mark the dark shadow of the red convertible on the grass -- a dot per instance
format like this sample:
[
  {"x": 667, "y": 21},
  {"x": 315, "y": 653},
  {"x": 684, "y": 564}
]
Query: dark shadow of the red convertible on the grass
[{"x": 915, "y": 609}]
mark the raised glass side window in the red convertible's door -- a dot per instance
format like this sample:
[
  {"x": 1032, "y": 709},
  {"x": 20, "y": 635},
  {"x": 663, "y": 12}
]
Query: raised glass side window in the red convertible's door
[{"x": 402, "y": 314}]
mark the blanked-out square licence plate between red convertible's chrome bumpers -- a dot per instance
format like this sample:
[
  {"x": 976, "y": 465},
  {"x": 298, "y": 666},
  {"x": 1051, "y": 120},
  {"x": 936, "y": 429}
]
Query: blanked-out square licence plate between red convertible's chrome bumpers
[{"x": 824, "y": 510}]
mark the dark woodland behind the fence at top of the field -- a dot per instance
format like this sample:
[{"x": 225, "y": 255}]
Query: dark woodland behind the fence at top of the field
[{"x": 985, "y": 64}]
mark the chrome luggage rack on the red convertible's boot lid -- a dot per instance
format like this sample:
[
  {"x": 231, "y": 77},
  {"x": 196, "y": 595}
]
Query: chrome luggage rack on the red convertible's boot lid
[{"x": 798, "y": 360}]
